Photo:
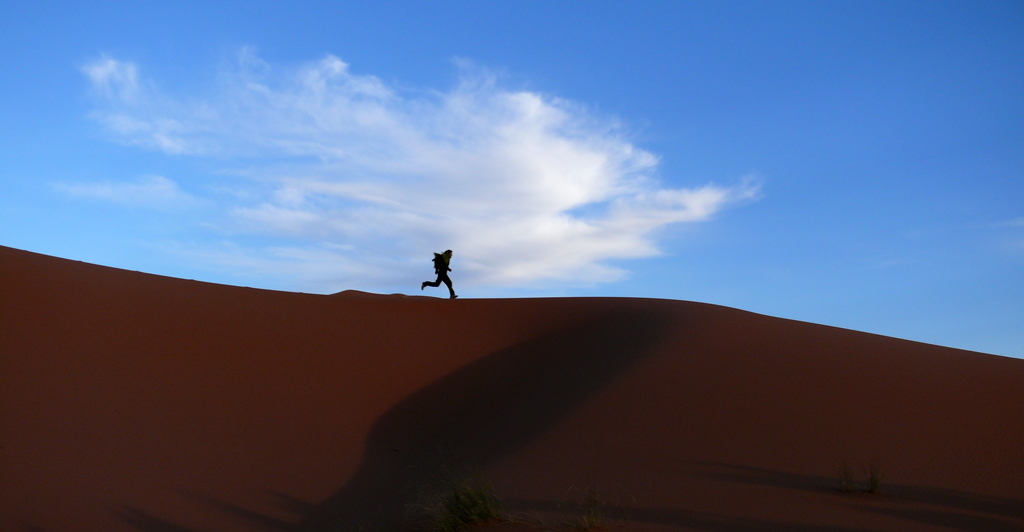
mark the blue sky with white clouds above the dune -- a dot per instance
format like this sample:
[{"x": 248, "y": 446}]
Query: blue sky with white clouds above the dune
[{"x": 855, "y": 164}]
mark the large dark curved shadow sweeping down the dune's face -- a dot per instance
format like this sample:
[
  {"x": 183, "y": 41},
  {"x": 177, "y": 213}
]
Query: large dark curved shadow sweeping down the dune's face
[{"x": 465, "y": 421}]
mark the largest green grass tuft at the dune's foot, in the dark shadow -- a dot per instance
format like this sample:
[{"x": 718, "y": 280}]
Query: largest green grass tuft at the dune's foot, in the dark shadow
[{"x": 463, "y": 503}]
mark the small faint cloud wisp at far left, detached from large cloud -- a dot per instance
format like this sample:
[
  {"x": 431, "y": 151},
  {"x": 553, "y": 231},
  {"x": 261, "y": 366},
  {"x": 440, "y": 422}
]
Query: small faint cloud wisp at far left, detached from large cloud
[{"x": 151, "y": 192}]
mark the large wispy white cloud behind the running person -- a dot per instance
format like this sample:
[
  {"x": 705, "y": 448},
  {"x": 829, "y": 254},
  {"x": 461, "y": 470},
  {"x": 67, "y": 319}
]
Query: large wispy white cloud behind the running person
[{"x": 526, "y": 188}]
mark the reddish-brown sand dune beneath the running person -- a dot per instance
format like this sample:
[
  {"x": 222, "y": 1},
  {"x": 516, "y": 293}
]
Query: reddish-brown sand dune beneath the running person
[{"x": 137, "y": 403}]
